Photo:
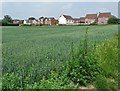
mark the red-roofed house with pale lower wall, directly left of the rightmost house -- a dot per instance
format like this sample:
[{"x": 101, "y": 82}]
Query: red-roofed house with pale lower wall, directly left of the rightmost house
[{"x": 91, "y": 18}]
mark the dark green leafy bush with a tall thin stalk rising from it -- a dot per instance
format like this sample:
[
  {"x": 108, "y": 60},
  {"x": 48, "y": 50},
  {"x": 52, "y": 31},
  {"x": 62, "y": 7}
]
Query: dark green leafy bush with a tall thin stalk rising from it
[{"x": 82, "y": 67}]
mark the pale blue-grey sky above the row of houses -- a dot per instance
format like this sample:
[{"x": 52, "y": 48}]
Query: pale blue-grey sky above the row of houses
[{"x": 24, "y": 10}]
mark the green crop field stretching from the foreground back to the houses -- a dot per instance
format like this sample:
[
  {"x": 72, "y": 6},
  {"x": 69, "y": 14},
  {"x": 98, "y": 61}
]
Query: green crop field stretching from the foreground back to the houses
[{"x": 32, "y": 52}]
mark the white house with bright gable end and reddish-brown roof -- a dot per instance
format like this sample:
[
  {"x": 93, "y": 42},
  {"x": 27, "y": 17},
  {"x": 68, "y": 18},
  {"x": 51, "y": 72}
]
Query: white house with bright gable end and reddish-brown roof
[{"x": 65, "y": 19}]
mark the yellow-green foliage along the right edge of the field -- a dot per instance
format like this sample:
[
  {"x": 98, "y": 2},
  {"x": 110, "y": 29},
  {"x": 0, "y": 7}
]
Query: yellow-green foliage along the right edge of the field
[{"x": 107, "y": 55}]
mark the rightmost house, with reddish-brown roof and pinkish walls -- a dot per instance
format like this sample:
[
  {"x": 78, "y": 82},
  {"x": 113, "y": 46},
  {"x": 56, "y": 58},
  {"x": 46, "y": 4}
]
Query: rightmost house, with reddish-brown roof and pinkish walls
[{"x": 103, "y": 17}]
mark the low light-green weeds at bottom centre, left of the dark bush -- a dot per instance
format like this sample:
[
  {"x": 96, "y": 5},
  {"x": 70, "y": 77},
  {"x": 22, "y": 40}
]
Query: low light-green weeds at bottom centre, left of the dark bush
[{"x": 54, "y": 81}]
